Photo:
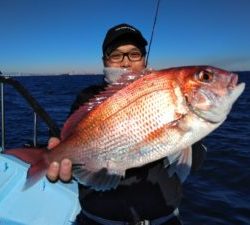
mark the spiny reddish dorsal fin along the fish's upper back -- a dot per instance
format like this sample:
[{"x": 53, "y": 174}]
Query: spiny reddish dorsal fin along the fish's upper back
[{"x": 124, "y": 80}]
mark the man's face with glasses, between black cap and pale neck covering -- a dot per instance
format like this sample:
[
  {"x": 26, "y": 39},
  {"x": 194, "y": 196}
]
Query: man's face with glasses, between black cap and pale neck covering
[{"x": 127, "y": 57}]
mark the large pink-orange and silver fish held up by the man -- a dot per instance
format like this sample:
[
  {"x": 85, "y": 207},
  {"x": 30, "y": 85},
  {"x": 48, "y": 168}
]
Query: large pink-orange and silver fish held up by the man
[{"x": 143, "y": 118}]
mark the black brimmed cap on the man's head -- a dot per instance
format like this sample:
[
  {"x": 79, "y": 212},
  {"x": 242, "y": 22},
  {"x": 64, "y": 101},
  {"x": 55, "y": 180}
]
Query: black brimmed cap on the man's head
[{"x": 123, "y": 34}]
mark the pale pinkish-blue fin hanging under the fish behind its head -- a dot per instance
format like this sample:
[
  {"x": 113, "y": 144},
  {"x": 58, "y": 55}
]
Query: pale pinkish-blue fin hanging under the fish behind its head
[{"x": 182, "y": 166}]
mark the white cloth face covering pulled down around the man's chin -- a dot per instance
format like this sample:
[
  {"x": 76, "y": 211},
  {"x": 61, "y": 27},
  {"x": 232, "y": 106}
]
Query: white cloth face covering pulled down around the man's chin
[{"x": 112, "y": 74}]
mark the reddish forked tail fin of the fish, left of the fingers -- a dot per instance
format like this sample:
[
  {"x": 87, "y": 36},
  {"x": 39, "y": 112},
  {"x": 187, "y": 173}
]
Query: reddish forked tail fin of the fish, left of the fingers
[{"x": 37, "y": 158}]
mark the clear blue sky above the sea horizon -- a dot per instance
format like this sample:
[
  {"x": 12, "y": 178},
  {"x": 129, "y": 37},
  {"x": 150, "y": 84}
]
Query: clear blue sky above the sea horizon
[{"x": 60, "y": 36}]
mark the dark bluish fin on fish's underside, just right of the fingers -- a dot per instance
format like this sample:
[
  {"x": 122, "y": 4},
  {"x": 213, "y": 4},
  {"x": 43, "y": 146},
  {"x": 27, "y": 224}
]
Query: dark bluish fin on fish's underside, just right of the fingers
[{"x": 100, "y": 180}]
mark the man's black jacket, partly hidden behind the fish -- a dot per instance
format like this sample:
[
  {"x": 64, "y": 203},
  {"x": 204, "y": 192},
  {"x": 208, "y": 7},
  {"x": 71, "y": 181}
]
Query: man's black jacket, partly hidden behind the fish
[{"x": 145, "y": 193}]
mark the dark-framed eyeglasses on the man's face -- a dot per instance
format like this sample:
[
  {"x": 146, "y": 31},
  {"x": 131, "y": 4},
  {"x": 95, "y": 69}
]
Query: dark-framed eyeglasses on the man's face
[{"x": 117, "y": 57}]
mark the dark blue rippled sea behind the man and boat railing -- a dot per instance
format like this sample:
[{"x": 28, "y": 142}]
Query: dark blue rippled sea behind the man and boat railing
[{"x": 217, "y": 194}]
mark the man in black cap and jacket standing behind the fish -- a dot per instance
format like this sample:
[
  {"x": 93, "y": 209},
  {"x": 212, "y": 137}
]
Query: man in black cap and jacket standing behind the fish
[{"x": 147, "y": 194}]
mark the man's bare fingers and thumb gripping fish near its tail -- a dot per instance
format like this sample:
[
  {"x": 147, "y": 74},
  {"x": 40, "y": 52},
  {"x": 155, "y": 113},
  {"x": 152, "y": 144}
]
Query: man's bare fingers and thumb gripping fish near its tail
[{"x": 63, "y": 170}]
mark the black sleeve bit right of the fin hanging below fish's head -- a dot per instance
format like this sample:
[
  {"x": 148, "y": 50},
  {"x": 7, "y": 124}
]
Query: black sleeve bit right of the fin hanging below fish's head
[{"x": 198, "y": 155}]
